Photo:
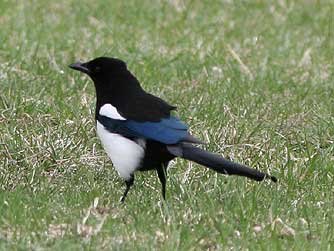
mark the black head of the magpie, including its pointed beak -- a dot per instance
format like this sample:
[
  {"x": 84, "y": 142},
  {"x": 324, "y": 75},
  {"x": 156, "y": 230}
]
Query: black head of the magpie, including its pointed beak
[{"x": 100, "y": 68}]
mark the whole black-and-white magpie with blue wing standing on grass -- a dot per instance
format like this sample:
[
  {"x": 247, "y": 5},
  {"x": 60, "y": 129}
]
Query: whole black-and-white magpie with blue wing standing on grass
[{"x": 138, "y": 130}]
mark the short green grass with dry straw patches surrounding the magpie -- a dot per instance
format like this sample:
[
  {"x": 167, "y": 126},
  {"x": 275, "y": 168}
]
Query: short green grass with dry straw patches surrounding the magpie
[{"x": 254, "y": 79}]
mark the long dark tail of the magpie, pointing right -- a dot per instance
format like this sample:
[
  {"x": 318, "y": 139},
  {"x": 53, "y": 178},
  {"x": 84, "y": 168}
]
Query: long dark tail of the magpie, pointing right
[{"x": 217, "y": 163}]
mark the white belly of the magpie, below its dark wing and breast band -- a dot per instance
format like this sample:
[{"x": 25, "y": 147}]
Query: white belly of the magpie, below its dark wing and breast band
[{"x": 124, "y": 153}]
